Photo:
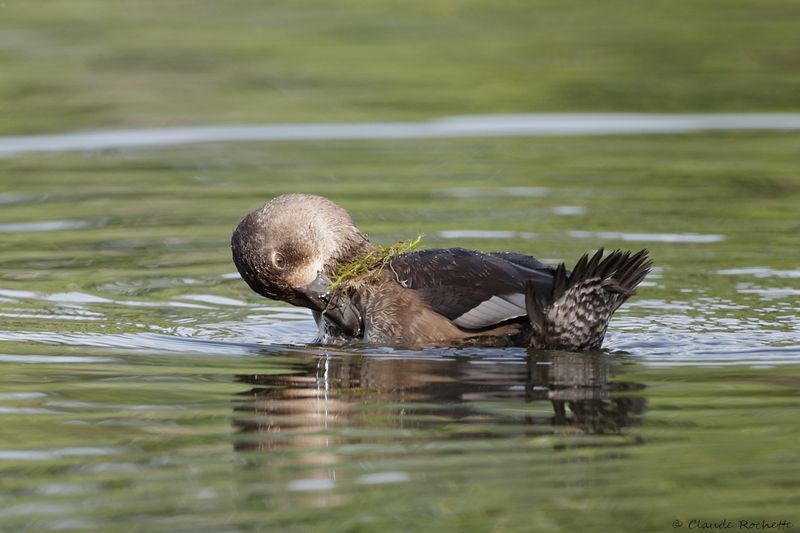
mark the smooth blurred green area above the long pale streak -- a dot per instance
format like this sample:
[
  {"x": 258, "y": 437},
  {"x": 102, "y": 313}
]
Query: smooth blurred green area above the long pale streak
[{"x": 81, "y": 64}]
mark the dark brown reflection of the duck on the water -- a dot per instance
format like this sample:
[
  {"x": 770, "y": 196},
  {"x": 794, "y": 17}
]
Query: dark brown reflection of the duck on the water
[{"x": 373, "y": 397}]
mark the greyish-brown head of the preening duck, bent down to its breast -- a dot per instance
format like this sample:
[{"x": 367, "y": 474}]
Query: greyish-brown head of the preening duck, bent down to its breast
[{"x": 287, "y": 249}]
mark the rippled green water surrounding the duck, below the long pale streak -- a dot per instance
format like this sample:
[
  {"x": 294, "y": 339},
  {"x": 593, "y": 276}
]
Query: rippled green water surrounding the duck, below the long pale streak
[{"x": 143, "y": 385}]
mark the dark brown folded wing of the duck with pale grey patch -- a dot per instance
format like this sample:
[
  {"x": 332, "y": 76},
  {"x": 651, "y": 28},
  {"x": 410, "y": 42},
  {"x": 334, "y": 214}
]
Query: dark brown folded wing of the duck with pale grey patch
[{"x": 472, "y": 289}]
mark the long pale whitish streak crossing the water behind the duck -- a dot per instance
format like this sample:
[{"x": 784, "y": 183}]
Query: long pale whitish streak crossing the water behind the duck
[{"x": 510, "y": 125}]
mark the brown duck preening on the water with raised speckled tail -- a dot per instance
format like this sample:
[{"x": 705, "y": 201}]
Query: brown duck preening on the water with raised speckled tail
[{"x": 292, "y": 247}]
